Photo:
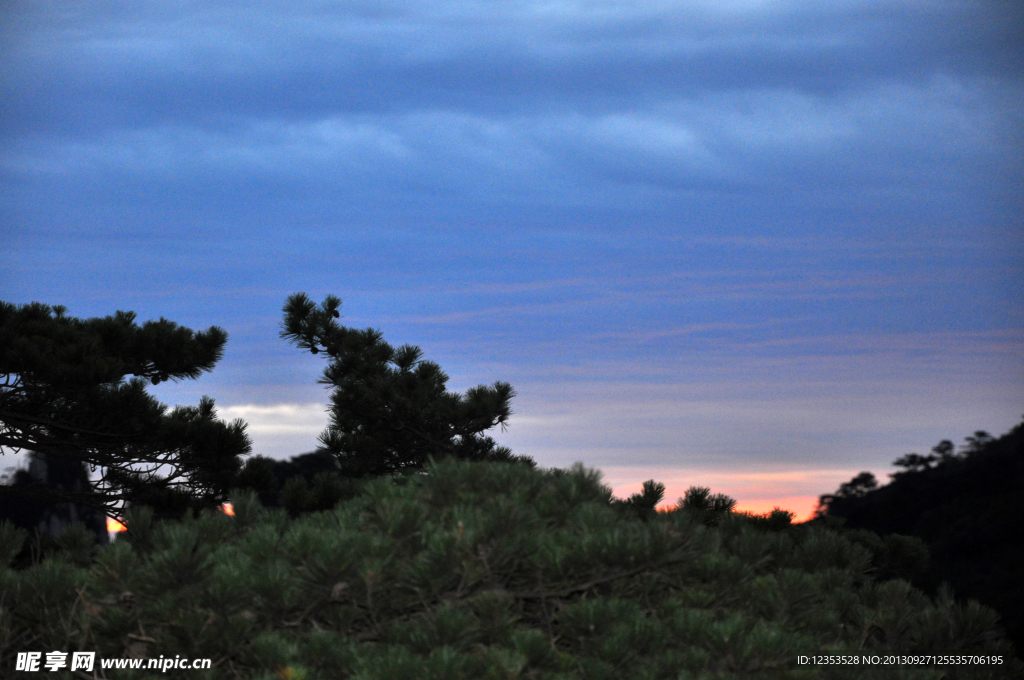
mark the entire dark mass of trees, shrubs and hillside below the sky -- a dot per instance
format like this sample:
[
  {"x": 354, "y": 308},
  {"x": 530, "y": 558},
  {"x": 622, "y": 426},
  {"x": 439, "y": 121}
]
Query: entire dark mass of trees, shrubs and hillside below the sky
[{"x": 411, "y": 545}]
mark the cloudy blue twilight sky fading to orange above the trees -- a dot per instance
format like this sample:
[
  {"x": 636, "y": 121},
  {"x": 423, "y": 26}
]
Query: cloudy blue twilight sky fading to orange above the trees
[{"x": 752, "y": 245}]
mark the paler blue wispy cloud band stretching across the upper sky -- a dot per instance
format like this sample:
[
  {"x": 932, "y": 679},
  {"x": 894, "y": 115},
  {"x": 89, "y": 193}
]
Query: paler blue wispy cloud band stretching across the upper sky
[{"x": 889, "y": 139}]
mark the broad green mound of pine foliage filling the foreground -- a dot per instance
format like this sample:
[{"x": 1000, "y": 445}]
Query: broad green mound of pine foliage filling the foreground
[{"x": 485, "y": 571}]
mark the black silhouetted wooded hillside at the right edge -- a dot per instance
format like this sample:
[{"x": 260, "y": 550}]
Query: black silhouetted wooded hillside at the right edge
[{"x": 968, "y": 507}]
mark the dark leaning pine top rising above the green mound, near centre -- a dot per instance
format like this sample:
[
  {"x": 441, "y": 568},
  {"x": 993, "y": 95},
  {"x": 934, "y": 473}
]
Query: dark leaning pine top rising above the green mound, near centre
[{"x": 391, "y": 410}]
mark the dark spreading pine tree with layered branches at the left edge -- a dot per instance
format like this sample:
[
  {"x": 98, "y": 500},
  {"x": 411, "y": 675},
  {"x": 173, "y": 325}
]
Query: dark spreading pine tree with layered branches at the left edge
[{"x": 65, "y": 395}]
